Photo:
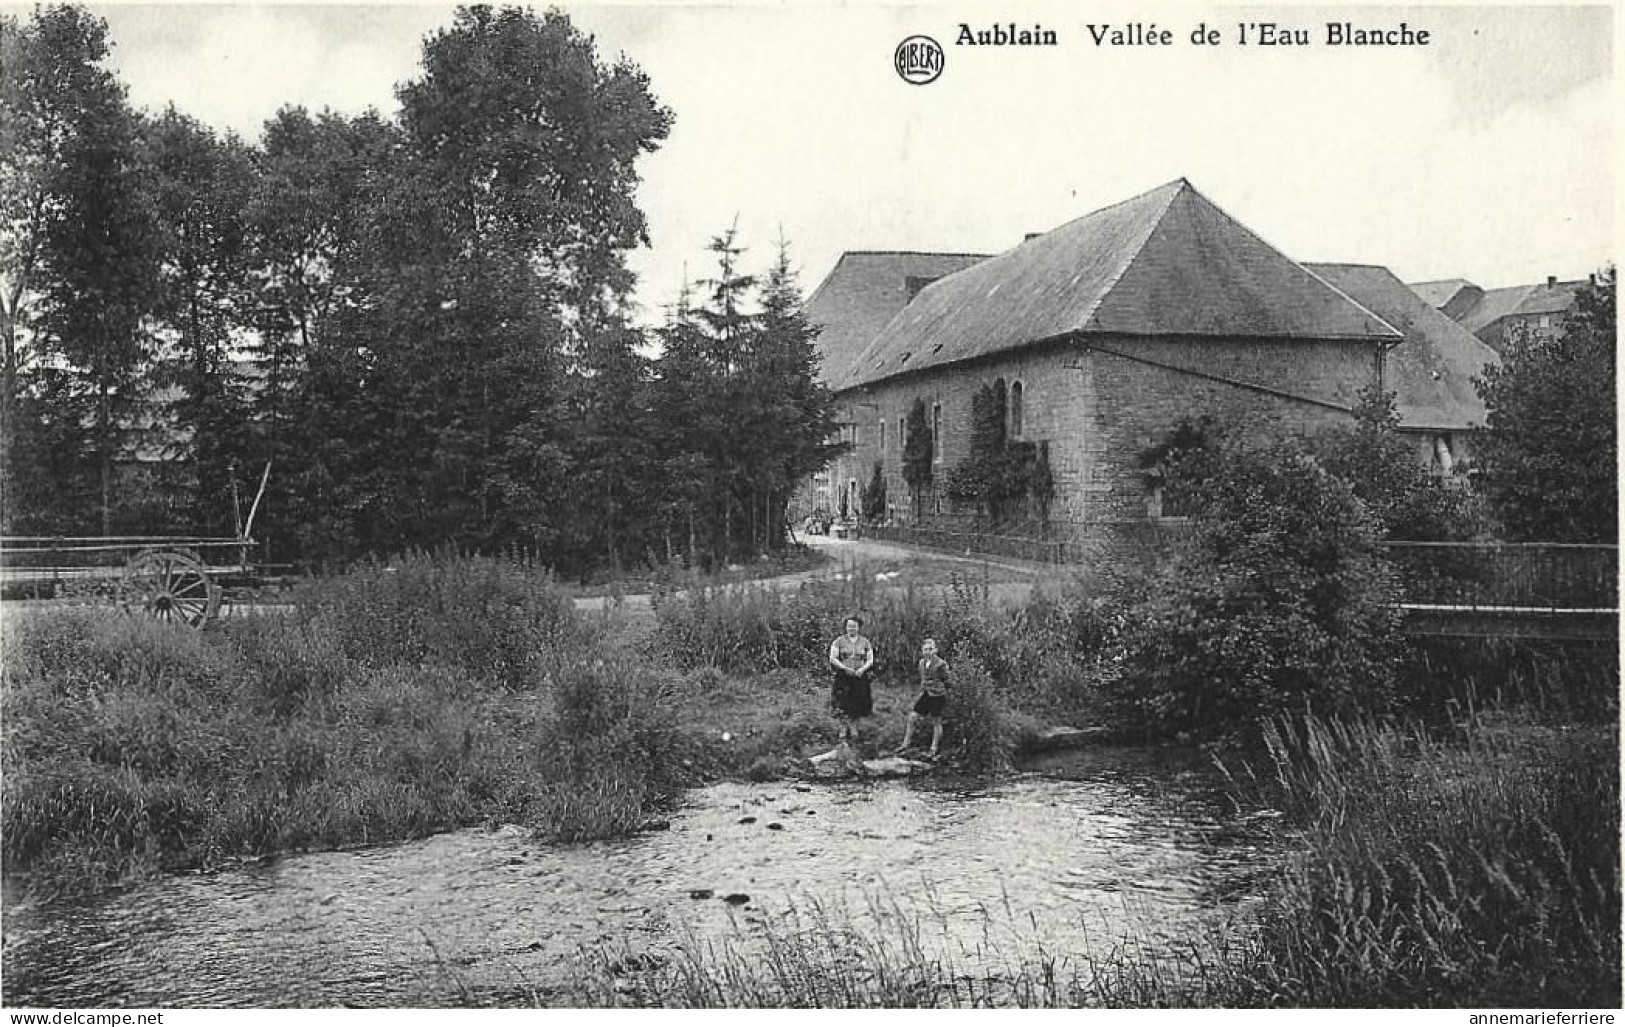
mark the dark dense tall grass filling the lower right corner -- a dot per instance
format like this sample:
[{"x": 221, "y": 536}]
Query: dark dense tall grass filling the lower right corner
[{"x": 1473, "y": 870}]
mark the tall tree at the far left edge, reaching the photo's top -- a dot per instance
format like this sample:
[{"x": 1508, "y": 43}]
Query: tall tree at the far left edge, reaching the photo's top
[{"x": 79, "y": 236}]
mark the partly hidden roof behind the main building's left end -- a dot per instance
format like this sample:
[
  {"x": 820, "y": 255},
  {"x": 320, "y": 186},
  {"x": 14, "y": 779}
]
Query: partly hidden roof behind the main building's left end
[{"x": 862, "y": 293}]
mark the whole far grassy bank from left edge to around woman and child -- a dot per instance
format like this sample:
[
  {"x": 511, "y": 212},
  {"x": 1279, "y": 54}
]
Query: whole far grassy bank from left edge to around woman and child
[{"x": 410, "y": 700}]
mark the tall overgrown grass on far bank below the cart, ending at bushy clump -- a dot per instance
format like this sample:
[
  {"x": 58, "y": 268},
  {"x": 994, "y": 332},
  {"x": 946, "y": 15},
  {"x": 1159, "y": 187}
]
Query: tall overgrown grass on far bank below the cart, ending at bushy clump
[{"x": 394, "y": 704}]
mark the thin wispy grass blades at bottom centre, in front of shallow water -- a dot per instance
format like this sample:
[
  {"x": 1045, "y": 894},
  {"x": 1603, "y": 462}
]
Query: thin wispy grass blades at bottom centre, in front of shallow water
[{"x": 898, "y": 955}]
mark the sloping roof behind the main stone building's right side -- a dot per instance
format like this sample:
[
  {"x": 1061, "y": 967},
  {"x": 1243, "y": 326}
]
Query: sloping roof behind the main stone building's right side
[{"x": 1432, "y": 371}]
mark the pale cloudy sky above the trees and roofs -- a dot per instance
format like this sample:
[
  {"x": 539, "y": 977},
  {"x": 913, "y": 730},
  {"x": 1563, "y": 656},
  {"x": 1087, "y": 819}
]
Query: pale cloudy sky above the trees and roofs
[{"x": 1488, "y": 155}]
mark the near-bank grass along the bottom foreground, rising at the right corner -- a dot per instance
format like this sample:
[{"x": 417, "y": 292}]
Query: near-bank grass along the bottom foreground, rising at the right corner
[{"x": 1478, "y": 870}]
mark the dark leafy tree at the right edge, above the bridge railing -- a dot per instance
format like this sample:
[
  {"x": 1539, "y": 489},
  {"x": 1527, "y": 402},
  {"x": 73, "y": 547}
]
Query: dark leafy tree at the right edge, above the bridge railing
[{"x": 1548, "y": 461}]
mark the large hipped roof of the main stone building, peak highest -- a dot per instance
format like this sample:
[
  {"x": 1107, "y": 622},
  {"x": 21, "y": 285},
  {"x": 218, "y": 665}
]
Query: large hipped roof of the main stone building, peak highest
[{"x": 1168, "y": 262}]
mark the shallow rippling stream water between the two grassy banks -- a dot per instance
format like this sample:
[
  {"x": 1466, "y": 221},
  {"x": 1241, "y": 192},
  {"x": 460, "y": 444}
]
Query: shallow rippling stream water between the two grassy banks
[{"x": 1078, "y": 854}]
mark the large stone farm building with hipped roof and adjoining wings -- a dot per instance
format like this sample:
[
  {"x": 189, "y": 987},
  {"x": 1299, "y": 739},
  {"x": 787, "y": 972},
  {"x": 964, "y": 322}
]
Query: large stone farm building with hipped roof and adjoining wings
[{"x": 1112, "y": 331}]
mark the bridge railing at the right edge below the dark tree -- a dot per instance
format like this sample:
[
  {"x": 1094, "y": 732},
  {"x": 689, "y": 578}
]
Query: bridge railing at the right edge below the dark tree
[{"x": 1538, "y": 576}]
